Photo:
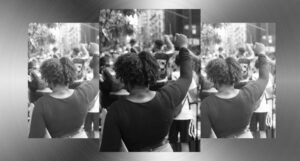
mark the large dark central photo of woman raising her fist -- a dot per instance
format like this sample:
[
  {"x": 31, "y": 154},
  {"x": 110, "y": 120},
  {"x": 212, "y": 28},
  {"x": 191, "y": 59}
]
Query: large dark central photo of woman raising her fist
[{"x": 147, "y": 102}]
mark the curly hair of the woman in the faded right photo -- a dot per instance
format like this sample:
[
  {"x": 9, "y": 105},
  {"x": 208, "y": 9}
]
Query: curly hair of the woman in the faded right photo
[{"x": 222, "y": 71}]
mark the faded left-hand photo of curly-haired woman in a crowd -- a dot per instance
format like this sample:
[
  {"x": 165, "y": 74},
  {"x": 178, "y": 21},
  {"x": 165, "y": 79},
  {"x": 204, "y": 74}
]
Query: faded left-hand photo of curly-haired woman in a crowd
[{"x": 63, "y": 80}]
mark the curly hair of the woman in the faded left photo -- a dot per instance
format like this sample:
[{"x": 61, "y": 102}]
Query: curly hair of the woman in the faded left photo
[{"x": 58, "y": 71}]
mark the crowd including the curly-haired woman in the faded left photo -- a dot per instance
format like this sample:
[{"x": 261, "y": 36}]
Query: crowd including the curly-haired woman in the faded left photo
[{"x": 64, "y": 93}]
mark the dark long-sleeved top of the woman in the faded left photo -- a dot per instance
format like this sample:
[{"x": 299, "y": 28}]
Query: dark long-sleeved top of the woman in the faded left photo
[{"x": 63, "y": 116}]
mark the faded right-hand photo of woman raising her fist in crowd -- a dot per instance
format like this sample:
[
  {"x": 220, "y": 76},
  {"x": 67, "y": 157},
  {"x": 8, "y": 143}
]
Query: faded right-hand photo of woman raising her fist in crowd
[{"x": 238, "y": 94}]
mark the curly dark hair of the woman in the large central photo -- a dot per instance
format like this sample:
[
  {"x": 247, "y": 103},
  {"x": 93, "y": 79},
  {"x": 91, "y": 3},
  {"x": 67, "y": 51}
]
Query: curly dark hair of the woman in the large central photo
[{"x": 133, "y": 69}]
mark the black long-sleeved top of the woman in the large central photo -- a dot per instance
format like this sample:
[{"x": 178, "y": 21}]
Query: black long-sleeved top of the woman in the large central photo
[{"x": 145, "y": 124}]
